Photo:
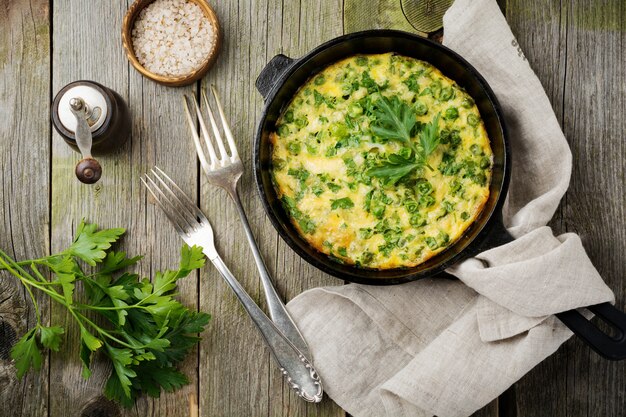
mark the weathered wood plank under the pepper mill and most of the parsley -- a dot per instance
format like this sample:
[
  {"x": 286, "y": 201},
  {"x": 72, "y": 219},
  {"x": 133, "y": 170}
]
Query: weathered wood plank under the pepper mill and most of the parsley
[{"x": 90, "y": 48}]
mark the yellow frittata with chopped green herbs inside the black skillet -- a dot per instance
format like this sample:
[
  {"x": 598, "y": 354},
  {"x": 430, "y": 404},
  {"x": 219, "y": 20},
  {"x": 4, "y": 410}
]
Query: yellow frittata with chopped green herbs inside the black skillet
[{"x": 381, "y": 161}]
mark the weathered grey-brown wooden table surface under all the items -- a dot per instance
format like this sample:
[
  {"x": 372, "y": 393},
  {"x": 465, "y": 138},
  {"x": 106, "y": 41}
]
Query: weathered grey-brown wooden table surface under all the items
[{"x": 576, "y": 47}]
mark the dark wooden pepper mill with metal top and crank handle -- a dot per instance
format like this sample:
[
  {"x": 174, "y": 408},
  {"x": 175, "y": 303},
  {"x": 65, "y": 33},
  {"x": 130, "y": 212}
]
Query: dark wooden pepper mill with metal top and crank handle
[{"x": 92, "y": 119}]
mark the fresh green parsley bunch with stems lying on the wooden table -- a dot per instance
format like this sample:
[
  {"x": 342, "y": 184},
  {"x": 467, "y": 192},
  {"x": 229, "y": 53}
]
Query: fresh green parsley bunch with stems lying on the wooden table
[{"x": 136, "y": 324}]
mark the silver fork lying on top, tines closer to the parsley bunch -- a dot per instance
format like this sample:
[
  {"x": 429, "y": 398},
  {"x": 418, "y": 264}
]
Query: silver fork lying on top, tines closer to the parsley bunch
[{"x": 195, "y": 229}]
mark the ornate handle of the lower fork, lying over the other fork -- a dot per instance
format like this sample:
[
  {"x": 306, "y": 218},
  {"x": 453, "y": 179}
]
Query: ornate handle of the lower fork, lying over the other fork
[{"x": 300, "y": 374}]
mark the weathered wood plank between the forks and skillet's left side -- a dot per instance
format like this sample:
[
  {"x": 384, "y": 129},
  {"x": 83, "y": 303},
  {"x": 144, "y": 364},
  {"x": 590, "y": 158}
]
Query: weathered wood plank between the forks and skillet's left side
[{"x": 238, "y": 377}]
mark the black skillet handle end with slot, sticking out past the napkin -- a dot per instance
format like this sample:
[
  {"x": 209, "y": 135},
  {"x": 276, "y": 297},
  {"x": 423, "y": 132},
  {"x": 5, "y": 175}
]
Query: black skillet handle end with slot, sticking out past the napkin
[{"x": 611, "y": 347}]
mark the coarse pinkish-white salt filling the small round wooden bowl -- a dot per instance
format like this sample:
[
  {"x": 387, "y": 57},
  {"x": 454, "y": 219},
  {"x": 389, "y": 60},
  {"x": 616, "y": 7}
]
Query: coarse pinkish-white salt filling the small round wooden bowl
[{"x": 172, "y": 37}]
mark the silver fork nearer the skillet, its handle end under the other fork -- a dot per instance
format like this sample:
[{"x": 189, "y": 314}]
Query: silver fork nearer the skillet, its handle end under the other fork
[{"x": 224, "y": 170}]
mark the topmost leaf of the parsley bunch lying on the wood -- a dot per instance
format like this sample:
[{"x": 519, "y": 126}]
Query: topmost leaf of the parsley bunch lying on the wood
[{"x": 90, "y": 244}]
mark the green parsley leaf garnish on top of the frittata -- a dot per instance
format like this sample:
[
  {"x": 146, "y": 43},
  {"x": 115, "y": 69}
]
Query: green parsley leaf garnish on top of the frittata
[{"x": 396, "y": 120}]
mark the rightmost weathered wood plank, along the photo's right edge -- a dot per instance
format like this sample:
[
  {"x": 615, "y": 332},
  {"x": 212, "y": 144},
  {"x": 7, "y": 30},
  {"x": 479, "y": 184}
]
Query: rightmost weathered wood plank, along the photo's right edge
[{"x": 595, "y": 100}]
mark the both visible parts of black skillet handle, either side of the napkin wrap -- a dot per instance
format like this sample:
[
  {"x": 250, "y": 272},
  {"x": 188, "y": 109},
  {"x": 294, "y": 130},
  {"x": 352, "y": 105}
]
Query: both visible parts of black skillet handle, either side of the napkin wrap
[{"x": 611, "y": 347}]
